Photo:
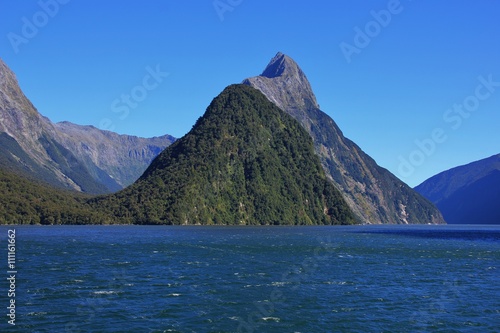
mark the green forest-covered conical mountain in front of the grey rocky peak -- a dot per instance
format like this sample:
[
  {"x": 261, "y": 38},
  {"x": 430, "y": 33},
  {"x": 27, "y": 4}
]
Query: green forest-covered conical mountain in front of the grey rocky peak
[{"x": 245, "y": 161}]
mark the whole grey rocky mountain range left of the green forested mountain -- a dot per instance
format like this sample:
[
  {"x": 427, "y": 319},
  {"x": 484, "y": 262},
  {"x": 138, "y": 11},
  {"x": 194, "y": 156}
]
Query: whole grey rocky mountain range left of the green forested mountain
[{"x": 80, "y": 158}]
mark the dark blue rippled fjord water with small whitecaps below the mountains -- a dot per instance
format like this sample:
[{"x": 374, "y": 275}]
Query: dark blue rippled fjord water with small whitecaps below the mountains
[{"x": 255, "y": 279}]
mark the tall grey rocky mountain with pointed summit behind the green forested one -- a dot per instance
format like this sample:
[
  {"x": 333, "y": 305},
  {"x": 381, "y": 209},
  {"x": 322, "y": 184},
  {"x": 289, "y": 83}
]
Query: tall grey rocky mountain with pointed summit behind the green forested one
[{"x": 374, "y": 194}]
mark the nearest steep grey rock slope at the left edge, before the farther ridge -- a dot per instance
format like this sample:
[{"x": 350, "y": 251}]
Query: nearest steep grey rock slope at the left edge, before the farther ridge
[{"x": 32, "y": 133}]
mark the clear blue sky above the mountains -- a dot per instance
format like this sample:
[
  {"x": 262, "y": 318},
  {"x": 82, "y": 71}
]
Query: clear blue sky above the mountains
[{"x": 415, "y": 83}]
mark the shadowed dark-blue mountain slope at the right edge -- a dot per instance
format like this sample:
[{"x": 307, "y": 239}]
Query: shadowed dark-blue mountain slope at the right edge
[{"x": 468, "y": 194}]
